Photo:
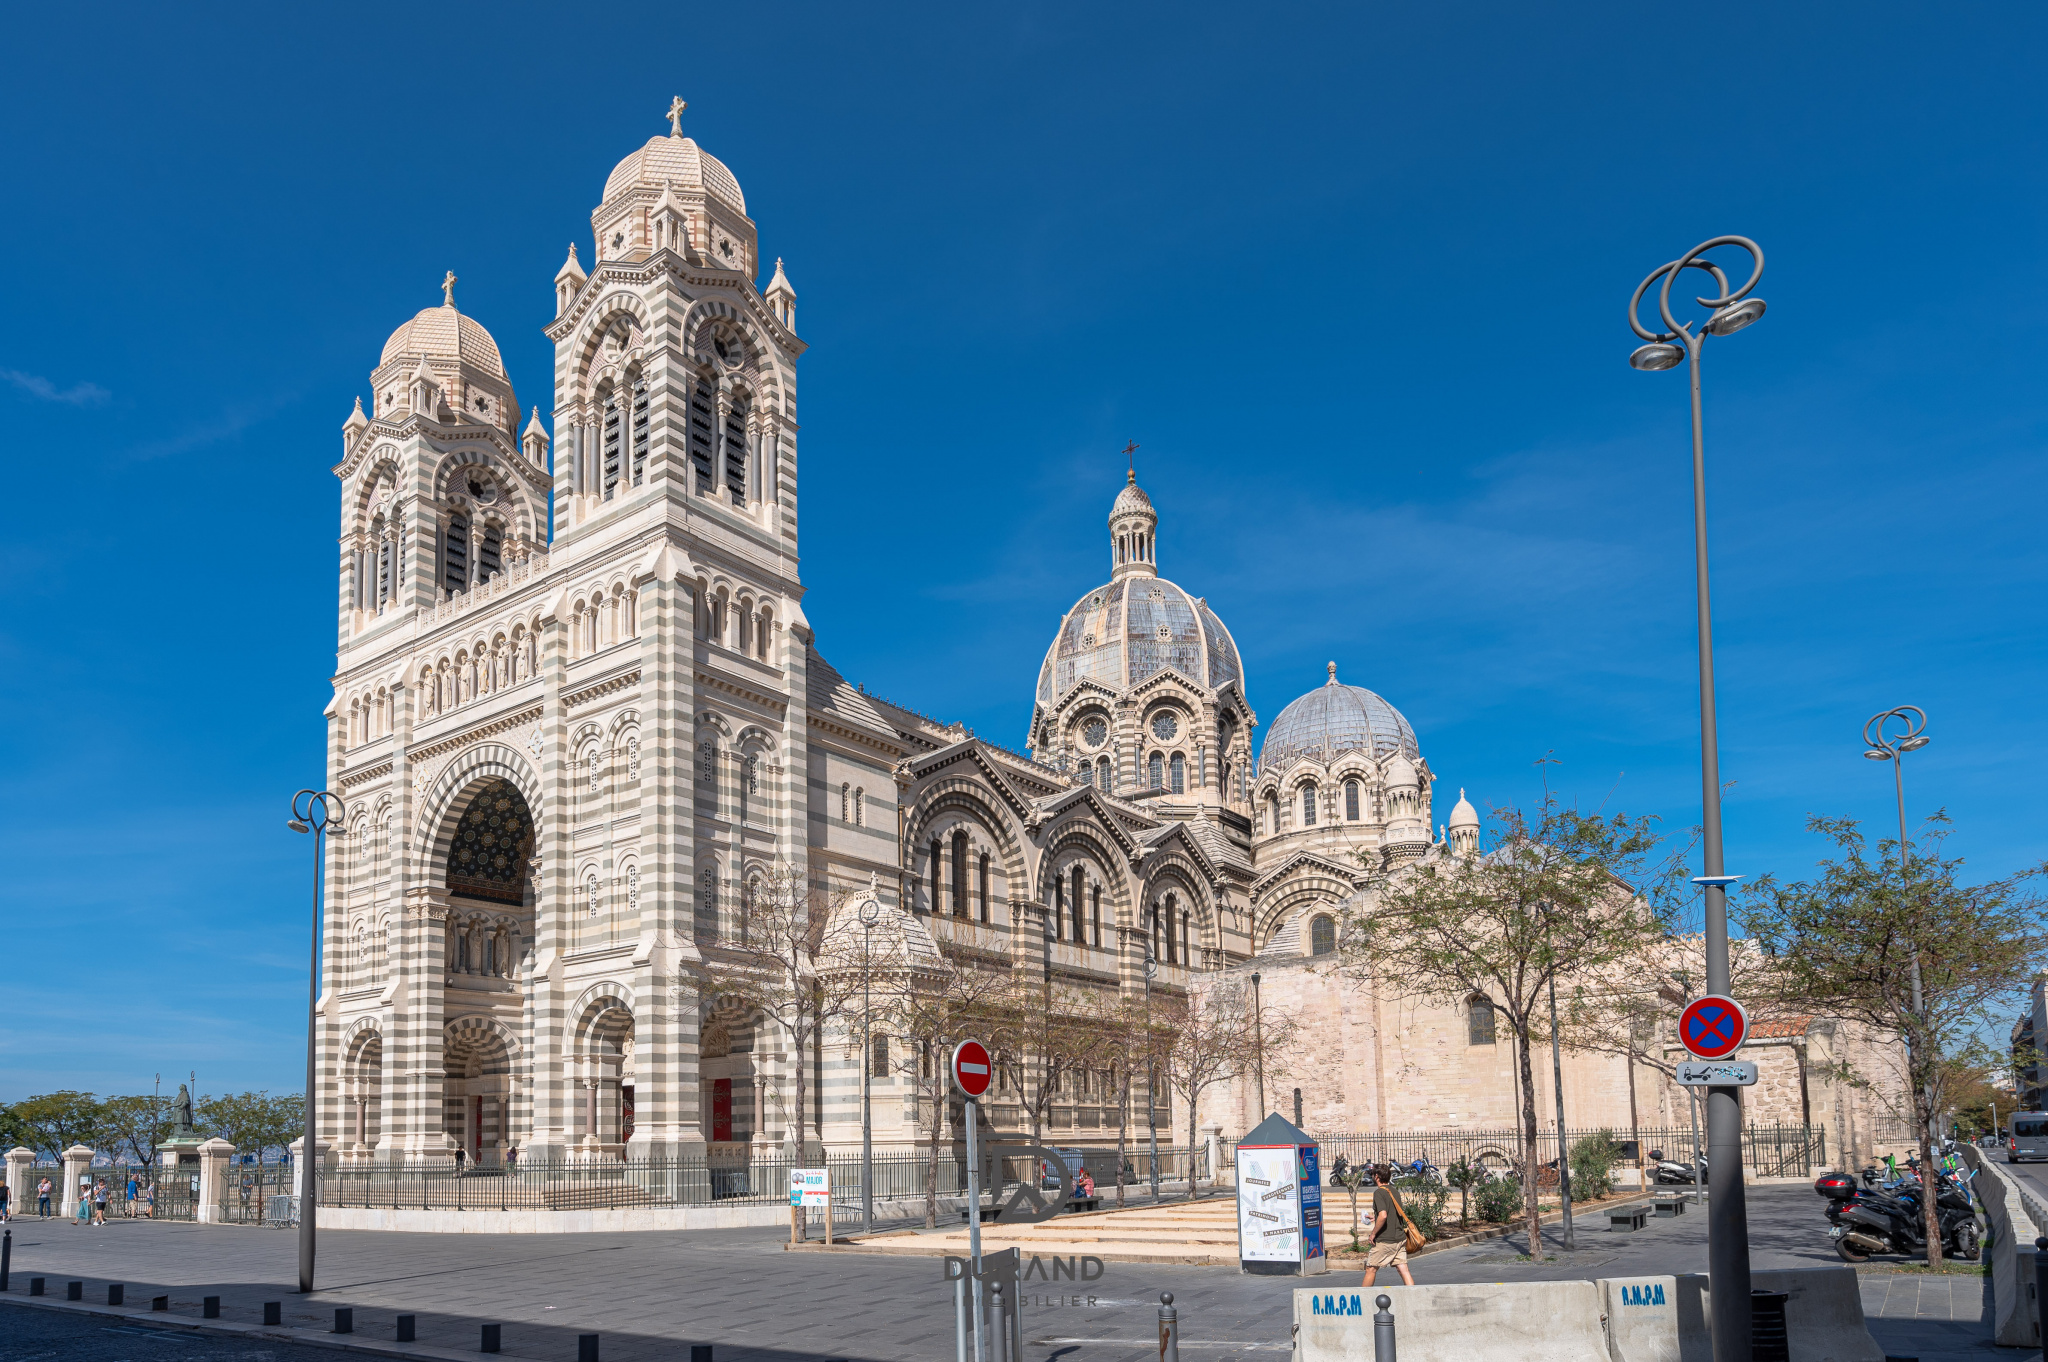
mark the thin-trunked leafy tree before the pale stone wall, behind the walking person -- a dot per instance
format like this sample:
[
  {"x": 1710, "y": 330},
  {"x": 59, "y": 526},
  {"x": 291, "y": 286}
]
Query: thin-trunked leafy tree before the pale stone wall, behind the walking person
[{"x": 1560, "y": 896}]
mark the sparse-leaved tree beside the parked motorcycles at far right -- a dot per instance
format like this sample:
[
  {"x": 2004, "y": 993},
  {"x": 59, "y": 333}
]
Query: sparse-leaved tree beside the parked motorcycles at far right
[{"x": 1908, "y": 949}]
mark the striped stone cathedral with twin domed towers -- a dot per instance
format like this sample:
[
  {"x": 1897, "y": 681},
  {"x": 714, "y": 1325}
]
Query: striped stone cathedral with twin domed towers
[{"x": 579, "y": 714}]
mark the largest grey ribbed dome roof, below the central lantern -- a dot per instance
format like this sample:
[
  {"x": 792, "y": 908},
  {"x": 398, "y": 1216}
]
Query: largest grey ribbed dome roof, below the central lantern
[{"x": 1132, "y": 630}]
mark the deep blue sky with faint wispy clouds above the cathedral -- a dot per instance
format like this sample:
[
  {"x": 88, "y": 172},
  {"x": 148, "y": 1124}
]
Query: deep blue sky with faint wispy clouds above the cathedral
[{"x": 1351, "y": 275}]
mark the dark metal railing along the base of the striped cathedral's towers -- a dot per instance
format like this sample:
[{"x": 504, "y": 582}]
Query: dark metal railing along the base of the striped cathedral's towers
[{"x": 611, "y": 1185}]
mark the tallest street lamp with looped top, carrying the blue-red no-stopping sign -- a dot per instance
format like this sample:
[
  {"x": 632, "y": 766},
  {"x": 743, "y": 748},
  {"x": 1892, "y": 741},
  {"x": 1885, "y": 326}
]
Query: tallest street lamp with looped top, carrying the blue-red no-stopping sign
[{"x": 1682, "y": 341}]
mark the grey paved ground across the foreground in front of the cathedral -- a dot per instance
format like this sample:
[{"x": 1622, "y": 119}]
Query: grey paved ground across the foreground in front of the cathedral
[{"x": 740, "y": 1291}]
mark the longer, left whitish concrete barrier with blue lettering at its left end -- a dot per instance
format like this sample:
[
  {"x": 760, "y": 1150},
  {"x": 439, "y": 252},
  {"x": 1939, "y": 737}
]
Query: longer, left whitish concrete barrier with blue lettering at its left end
[{"x": 1471, "y": 1322}]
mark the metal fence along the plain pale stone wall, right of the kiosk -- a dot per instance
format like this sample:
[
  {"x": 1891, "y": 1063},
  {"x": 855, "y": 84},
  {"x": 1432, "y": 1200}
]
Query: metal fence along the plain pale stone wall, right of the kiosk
[{"x": 1768, "y": 1152}]
